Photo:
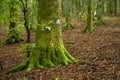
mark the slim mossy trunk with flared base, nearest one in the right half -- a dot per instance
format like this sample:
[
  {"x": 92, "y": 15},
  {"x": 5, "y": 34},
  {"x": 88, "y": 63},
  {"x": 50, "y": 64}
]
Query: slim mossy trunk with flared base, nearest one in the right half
[{"x": 89, "y": 28}]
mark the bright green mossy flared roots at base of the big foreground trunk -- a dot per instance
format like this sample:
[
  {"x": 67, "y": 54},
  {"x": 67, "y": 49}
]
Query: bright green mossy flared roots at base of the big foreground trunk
[{"x": 62, "y": 57}]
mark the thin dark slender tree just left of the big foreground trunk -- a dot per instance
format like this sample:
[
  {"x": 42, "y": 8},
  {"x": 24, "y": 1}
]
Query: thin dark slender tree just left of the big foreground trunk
[{"x": 27, "y": 11}]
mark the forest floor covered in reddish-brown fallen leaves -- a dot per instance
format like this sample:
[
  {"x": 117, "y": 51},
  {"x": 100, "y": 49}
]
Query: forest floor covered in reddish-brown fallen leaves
[{"x": 99, "y": 52}]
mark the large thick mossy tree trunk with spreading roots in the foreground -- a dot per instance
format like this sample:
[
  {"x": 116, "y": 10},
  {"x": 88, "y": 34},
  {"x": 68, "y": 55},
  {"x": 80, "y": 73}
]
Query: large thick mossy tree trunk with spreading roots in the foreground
[{"x": 49, "y": 50}]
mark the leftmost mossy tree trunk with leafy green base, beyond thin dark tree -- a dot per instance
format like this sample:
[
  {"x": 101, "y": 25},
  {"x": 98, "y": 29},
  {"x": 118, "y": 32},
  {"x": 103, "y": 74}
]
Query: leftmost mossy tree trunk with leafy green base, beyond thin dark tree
[{"x": 14, "y": 34}]
